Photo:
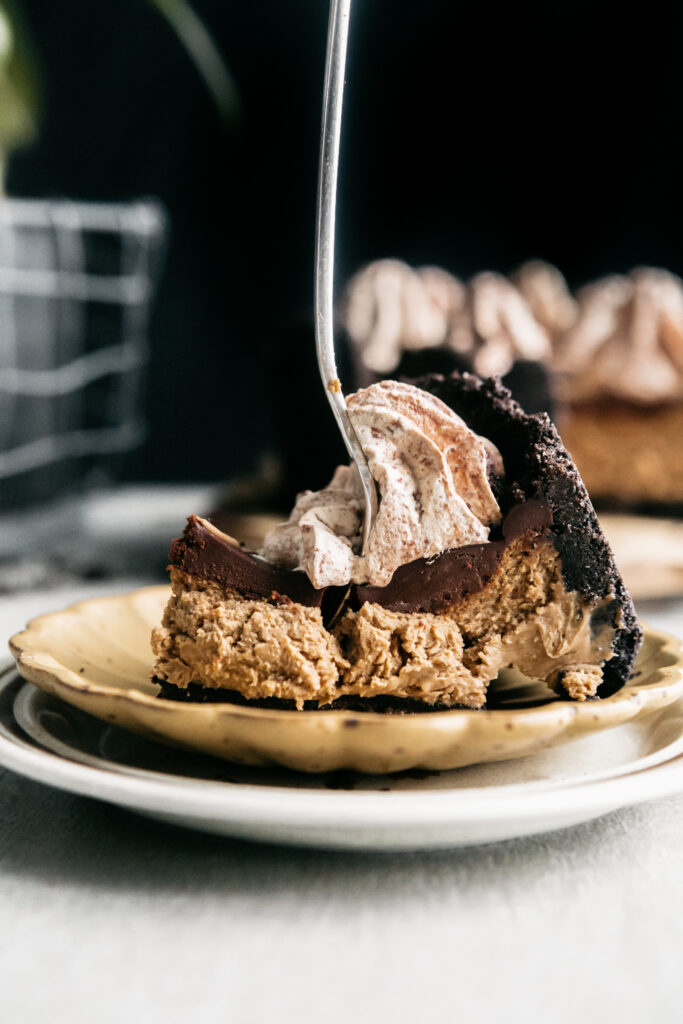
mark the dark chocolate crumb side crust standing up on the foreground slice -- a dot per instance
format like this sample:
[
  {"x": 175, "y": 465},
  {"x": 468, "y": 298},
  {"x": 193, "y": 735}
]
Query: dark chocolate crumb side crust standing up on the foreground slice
[{"x": 539, "y": 468}]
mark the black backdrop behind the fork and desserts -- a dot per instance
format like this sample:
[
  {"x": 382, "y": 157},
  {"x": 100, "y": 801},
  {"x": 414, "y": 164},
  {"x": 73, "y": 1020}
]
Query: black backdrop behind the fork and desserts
[{"x": 477, "y": 136}]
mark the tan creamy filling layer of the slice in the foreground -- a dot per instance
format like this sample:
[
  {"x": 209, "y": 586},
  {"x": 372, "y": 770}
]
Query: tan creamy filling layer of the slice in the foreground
[{"x": 524, "y": 618}]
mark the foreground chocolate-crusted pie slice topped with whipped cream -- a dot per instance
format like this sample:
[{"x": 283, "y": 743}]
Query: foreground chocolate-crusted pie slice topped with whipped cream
[{"x": 485, "y": 553}]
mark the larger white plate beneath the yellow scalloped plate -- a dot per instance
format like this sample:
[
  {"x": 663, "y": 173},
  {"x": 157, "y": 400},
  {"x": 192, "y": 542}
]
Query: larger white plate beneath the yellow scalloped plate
[{"x": 641, "y": 761}]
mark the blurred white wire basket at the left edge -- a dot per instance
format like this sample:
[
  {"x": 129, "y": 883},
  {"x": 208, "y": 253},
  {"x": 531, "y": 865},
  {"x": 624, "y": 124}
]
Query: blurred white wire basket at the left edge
[{"x": 76, "y": 287}]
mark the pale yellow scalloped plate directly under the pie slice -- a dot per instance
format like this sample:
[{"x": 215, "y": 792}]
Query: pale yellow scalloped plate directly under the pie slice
[{"x": 97, "y": 657}]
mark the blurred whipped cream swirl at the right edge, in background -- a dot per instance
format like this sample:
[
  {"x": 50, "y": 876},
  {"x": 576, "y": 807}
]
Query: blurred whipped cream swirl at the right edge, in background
[{"x": 628, "y": 340}]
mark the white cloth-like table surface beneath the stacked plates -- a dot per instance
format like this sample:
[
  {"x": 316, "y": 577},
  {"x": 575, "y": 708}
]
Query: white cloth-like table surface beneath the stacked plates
[{"x": 110, "y": 918}]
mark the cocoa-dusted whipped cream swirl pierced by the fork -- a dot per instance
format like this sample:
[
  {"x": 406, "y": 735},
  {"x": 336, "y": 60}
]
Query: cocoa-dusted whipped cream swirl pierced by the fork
[{"x": 433, "y": 475}]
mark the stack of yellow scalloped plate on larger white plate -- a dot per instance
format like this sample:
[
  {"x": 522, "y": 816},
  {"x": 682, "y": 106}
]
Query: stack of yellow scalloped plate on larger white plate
[{"x": 94, "y": 726}]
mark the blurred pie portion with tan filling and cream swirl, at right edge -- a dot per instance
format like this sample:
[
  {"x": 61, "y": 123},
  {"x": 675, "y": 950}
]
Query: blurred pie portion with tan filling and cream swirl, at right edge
[{"x": 620, "y": 390}]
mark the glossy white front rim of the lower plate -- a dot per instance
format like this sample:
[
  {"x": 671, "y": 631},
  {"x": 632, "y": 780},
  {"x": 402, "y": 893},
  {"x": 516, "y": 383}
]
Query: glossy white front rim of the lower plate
[{"x": 317, "y": 809}]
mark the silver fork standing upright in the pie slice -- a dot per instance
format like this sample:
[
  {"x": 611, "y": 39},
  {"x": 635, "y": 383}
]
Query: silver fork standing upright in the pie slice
[{"x": 325, "y": 249}]
